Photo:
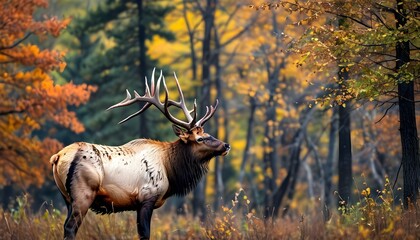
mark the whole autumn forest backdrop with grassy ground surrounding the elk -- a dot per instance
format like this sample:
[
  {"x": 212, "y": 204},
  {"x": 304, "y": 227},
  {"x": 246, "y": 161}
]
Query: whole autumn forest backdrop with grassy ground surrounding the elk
[{"x": 318, "y": 99}]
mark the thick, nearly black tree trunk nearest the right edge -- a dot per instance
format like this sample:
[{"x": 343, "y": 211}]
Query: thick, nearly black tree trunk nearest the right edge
[{"x": 408, "y": 129}]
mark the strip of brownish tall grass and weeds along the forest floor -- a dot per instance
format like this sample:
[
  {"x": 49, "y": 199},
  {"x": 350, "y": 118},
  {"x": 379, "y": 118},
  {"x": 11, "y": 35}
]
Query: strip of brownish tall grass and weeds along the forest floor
[{"x": 374, "y": 216}]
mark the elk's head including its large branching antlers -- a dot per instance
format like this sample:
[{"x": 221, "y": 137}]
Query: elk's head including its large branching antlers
[{"x": 190, "y": 132}]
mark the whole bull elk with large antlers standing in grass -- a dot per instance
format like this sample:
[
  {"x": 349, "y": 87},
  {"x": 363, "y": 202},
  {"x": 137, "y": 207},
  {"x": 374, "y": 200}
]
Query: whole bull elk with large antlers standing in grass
[{"x": 141, "y": 174}]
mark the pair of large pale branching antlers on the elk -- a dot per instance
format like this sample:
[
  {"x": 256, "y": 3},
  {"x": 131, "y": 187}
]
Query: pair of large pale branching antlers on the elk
[{"x": 151, "y": 97}]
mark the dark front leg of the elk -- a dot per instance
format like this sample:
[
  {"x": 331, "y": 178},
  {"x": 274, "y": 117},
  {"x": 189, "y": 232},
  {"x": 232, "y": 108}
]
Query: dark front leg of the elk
[{"x": 144, "y": 217}]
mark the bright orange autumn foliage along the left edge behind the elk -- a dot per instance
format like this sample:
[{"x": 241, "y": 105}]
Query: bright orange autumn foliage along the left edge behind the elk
[{"x": 29, "y": 96}]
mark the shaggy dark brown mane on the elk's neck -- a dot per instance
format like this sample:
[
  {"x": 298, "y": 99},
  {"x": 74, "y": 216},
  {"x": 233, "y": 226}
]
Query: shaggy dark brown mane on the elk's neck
[{"x": 184, "y": 168}]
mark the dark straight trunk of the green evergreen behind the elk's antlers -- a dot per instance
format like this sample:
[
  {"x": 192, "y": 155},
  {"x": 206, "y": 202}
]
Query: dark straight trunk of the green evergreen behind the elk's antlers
[{"x": 144, "y": 133}]
